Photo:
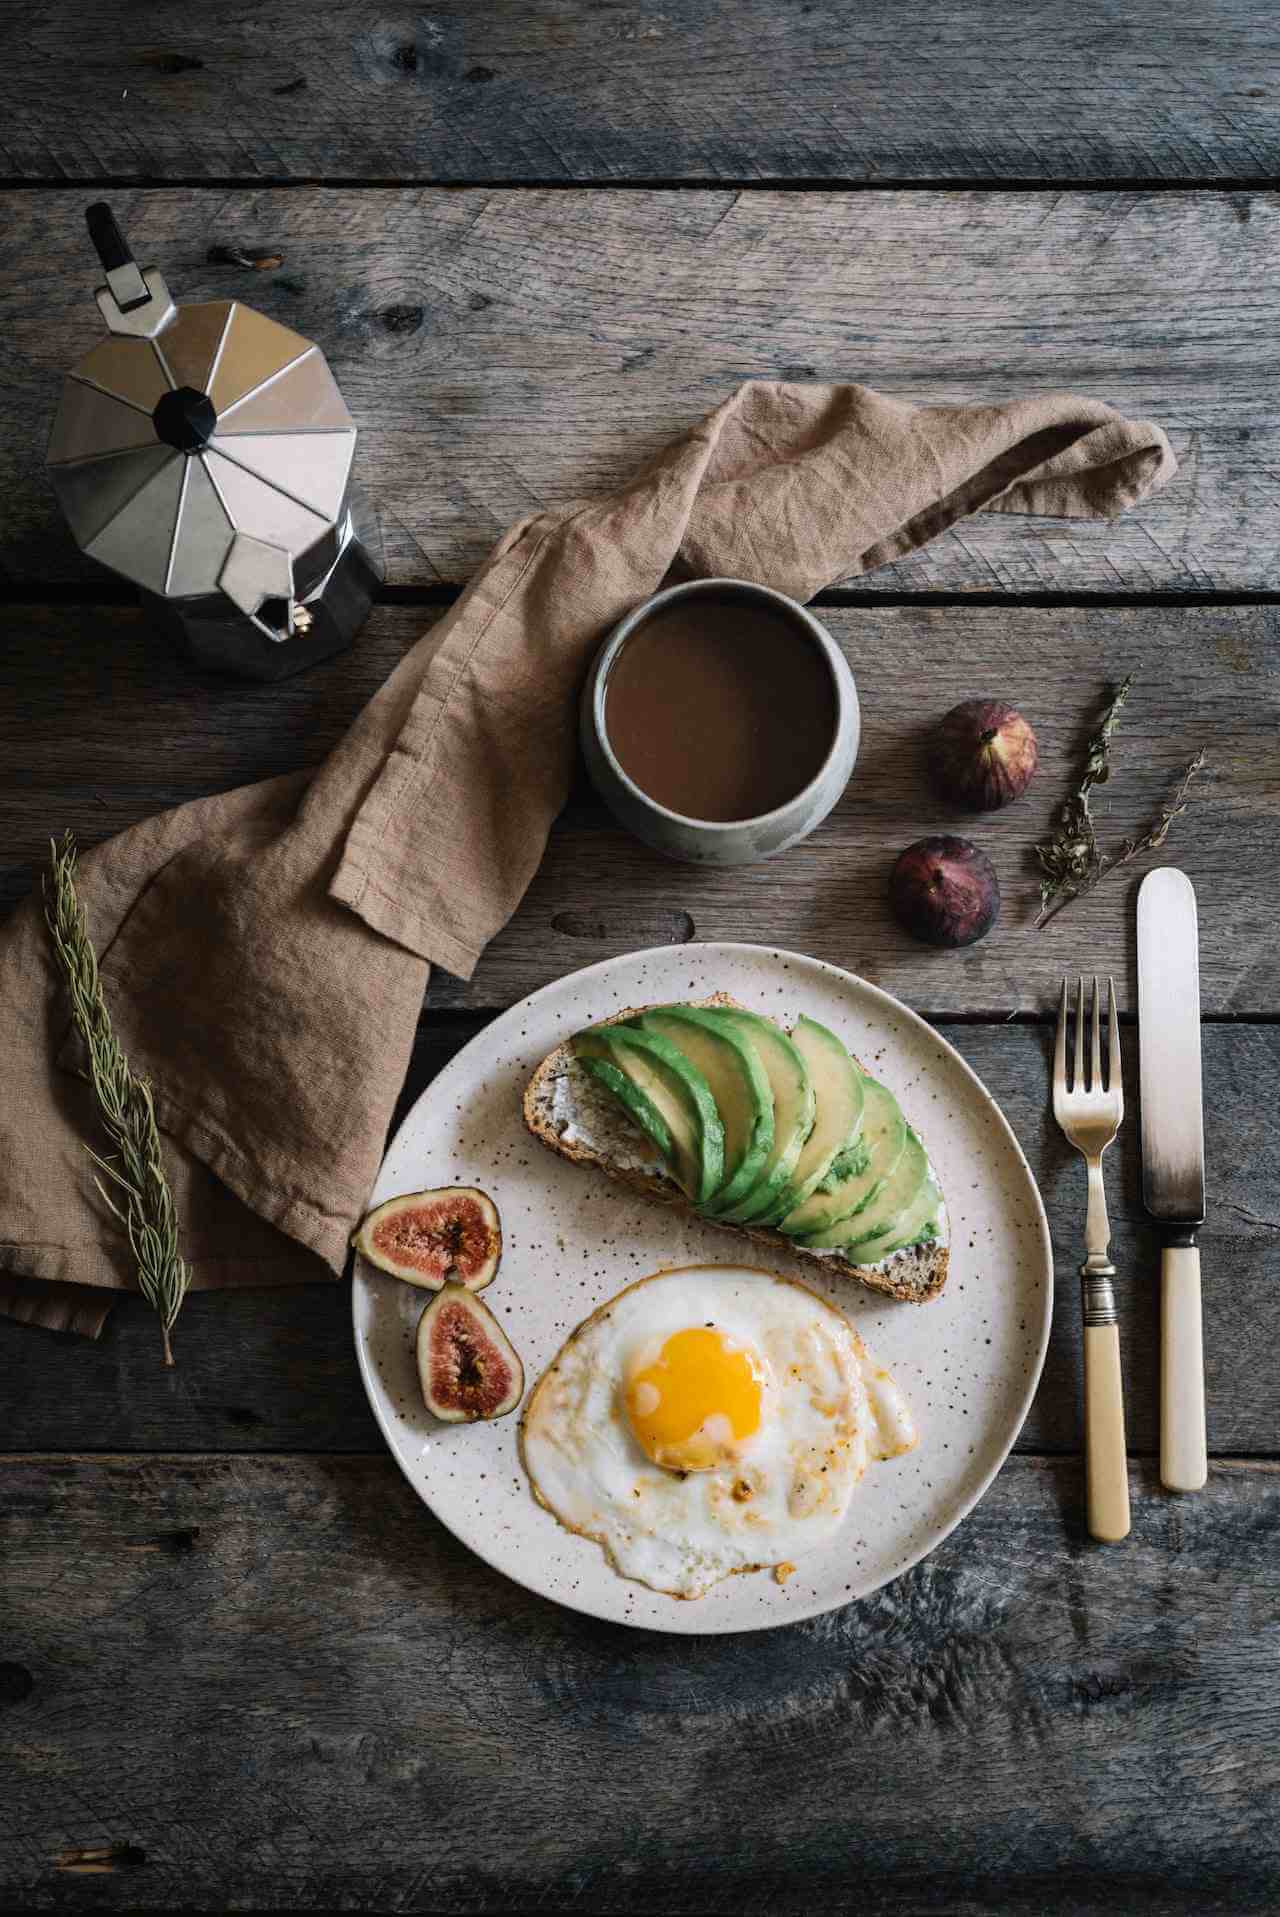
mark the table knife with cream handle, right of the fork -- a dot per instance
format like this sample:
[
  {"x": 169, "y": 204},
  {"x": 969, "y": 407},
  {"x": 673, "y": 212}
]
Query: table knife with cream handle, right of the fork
[{"x": 1174, "y": 1159}]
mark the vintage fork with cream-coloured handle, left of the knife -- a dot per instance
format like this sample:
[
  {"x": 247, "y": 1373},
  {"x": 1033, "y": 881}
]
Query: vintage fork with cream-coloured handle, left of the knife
[{"x": 1091, "y": 1115}]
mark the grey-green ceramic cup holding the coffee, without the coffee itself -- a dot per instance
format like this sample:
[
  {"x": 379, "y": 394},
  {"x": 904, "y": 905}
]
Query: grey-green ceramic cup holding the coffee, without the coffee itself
[{"x": 737, "y": 841}]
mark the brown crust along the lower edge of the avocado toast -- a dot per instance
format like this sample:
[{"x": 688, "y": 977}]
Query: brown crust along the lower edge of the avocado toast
[{"x": 915, "y": 1274}]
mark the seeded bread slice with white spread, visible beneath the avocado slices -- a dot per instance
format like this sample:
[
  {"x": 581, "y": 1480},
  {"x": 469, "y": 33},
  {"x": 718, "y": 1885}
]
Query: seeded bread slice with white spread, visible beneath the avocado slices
[{"x": 574, "y": 1117}]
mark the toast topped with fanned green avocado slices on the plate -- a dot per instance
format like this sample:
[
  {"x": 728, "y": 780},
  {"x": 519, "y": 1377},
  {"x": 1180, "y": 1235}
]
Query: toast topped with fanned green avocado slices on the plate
[{"x": 781, "y": 1138}]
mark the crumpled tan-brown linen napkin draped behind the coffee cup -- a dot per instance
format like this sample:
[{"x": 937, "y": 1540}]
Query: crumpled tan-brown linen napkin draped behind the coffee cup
[{"x": 265, "y": 952}]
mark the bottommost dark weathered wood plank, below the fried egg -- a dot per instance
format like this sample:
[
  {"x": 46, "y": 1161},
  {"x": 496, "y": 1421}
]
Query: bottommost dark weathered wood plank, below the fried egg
[{"x": 279, "y": 1684}]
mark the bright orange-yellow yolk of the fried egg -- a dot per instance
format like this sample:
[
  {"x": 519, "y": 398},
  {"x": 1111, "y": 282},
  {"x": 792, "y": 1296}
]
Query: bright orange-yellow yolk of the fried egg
[{"x": 693, "y": 1408}]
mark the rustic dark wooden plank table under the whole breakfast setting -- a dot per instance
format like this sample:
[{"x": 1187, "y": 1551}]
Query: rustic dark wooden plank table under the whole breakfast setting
[{"x": 240, "y": 1665}]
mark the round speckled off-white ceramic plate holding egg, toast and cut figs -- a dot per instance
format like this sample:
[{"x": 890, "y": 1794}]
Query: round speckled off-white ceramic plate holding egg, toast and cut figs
[{"x": 969, "y": 1362}]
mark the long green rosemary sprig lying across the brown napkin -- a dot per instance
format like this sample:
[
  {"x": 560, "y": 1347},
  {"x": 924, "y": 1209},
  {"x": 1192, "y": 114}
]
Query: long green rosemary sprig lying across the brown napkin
[{"x": 126, "y": 1105}]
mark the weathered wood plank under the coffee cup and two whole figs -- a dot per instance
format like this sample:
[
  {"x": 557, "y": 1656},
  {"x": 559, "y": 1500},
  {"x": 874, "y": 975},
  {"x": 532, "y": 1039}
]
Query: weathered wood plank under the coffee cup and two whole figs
[{"x": 101, "y": 728}]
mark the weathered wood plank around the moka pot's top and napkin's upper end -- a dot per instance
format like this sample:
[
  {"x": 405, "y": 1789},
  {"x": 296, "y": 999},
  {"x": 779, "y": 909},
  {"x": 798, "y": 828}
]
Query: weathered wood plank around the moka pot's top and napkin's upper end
[{"x": 514, "y": 350}]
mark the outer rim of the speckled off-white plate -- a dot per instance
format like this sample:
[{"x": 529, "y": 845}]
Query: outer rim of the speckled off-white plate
[{"x": 1034, "y": 1377}]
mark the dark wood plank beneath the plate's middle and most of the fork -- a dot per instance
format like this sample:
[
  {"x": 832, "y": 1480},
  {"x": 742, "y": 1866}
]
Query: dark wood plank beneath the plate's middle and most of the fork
[{"x": 275, "y": 1370}]
